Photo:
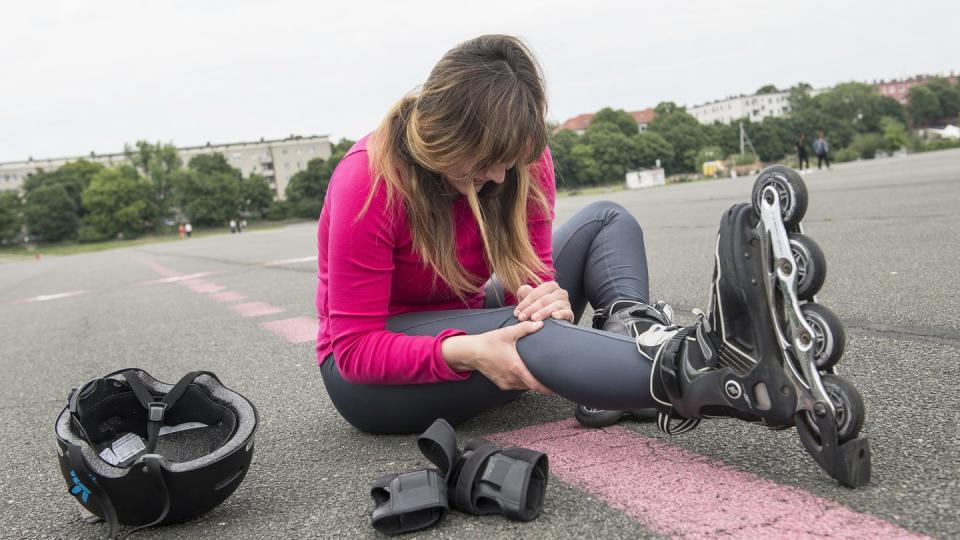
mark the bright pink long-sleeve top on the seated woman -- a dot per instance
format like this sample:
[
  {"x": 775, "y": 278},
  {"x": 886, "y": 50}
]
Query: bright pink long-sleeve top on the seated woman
[{"x": 369, "y": 271}]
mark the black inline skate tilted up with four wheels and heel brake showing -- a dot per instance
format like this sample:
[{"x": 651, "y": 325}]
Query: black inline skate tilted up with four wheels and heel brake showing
[{"x": 761, "y": 354}]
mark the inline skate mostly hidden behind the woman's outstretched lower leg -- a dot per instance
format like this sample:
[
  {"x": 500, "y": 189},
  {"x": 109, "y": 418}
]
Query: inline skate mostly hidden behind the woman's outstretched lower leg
[{"x": 629, "y": 318}]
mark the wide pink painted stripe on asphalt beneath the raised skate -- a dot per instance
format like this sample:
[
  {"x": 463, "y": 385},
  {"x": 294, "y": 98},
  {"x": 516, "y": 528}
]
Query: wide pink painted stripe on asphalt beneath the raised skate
[{"x": 679, "y": 493}]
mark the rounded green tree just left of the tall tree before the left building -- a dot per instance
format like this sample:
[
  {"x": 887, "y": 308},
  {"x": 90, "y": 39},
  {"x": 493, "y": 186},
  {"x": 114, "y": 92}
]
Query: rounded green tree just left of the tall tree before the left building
[{"x": 117, "y": 201}]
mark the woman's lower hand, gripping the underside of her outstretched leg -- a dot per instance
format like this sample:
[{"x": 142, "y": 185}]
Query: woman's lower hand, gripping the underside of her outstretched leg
[{"x": 494, "y": 354}]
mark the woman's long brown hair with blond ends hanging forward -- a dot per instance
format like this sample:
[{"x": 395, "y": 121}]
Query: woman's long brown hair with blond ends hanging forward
[{"x": 484, "y": 103}]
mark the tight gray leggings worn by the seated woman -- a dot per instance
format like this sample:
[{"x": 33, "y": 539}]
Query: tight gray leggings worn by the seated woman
[{"x": 599, "y": 257}]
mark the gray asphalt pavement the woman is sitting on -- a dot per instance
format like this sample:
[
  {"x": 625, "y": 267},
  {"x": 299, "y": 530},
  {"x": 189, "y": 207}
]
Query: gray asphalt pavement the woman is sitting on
[{"x": 241, "y": 305}]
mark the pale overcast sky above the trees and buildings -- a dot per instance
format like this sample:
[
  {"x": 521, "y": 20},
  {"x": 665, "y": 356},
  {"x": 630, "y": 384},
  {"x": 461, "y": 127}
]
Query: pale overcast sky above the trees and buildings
[{"x": 89, "y": 76}]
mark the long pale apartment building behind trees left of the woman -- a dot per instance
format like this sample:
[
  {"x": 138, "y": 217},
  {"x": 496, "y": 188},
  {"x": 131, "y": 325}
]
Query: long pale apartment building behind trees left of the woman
[{"x": 277, "y": 160}]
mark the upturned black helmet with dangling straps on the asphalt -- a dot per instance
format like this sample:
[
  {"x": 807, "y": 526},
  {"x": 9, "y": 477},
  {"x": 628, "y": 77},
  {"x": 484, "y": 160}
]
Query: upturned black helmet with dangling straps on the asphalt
[{"x": 139, "y": 452}]
